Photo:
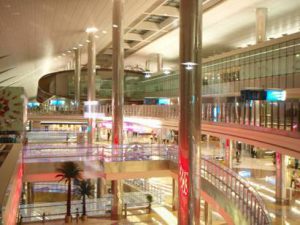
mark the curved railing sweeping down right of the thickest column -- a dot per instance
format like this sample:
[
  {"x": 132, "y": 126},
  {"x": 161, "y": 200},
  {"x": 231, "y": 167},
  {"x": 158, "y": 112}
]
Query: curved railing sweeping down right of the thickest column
[{"x": 237, "y": 190}]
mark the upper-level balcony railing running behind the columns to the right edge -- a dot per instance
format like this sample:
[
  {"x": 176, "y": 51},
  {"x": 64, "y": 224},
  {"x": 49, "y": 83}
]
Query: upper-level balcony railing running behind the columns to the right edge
[{"x": 275, "y": 115}]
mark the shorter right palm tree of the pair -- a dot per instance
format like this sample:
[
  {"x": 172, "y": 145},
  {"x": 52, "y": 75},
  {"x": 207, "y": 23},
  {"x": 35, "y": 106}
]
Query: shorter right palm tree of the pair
[{"x": 84, "y": 189}]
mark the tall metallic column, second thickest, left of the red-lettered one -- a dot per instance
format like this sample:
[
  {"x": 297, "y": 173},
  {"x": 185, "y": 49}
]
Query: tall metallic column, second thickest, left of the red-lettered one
[{"x": 117, "y": 97}]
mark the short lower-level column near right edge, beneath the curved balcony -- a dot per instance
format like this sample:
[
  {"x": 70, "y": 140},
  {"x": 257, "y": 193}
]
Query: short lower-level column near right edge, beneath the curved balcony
[{"x": 281, "y": 165}]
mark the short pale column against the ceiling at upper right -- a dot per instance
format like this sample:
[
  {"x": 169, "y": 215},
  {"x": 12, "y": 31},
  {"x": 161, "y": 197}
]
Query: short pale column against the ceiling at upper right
[{"x": 261, "y": 23}]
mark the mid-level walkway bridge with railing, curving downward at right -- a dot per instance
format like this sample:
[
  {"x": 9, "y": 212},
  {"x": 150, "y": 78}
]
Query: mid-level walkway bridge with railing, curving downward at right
[{"x": 230, "y": 195}]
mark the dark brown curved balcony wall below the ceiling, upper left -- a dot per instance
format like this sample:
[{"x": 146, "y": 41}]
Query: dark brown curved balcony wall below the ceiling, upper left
[{"x": 61, "y": 84}]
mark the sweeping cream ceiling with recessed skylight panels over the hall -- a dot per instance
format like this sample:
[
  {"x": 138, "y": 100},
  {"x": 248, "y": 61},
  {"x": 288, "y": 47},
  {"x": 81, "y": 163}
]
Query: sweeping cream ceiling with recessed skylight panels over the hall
[{"x": 36, "y": 35}]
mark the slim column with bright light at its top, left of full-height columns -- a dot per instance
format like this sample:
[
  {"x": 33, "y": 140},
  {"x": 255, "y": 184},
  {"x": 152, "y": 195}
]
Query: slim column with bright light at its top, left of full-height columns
[{"x": 91, "y": 81}]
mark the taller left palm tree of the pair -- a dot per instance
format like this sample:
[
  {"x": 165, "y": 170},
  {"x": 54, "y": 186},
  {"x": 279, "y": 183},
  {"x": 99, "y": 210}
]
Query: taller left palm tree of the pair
[{"x": 66, "y": 172}]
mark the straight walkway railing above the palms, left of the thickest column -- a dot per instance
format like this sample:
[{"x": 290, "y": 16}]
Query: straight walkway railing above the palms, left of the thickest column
[{"x": 136, "y": 152}]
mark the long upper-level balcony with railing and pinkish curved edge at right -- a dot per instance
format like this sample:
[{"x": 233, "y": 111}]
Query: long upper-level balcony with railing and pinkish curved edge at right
[{"x": 279, "y": 134}]
